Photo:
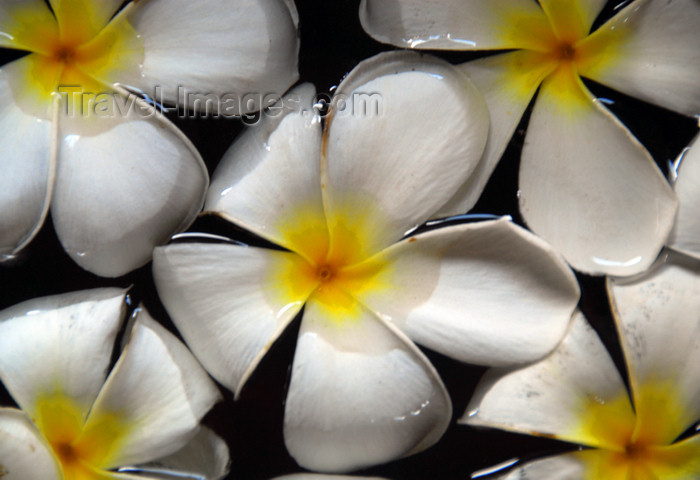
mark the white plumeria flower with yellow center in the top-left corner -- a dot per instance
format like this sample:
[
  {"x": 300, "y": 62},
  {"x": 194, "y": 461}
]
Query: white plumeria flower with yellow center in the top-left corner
[{"x": 118, "y": 176}]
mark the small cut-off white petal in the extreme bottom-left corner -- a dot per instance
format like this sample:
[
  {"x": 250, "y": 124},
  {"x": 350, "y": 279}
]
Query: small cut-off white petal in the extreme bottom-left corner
[{"x": 23, "y": 451}]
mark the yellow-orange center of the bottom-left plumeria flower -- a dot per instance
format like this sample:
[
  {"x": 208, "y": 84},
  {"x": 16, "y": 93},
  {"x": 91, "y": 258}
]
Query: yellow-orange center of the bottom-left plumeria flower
[{"x": 82, "y": 449}]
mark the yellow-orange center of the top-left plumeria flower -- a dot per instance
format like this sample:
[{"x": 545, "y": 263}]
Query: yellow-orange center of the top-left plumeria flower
[{"x": 73, "y": 49}]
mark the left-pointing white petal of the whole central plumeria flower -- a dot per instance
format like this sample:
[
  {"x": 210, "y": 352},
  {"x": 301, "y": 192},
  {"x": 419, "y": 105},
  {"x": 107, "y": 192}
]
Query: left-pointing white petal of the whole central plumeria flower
[{"x": 226, "y": 303}]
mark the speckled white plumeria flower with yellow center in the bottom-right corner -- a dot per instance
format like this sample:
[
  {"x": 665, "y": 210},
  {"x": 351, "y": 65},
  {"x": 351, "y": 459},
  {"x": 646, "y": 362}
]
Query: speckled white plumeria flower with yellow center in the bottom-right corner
[{"x": 576, "y": 394}]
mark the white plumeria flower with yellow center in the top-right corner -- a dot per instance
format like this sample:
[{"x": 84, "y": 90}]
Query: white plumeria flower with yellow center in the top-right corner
[{"x": 587, "y": 186}]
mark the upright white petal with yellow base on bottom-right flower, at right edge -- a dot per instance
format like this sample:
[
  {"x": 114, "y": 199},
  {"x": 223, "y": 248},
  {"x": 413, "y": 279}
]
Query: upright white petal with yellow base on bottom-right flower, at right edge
[{"x": 658, "y": 317}]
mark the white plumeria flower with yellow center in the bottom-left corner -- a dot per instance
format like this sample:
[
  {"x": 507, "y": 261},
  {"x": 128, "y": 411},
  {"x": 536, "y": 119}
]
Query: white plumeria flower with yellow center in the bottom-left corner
[{"x": 76, "y": 425}]
